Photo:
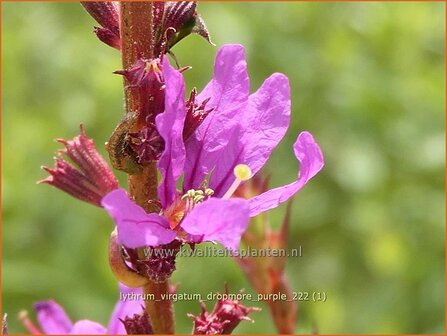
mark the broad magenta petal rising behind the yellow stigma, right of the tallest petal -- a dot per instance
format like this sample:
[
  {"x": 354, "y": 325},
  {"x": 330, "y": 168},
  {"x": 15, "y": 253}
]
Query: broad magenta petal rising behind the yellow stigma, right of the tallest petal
[{"x": 263, "y": 123}]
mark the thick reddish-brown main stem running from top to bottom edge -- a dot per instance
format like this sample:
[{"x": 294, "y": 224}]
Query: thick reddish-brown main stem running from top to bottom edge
[{"x": 137, "y": 41}]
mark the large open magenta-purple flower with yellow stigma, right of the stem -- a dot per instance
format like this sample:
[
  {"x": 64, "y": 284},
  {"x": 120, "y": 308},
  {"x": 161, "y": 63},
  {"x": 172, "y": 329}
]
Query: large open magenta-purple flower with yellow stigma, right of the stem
[{"x": 231, "y": 145}]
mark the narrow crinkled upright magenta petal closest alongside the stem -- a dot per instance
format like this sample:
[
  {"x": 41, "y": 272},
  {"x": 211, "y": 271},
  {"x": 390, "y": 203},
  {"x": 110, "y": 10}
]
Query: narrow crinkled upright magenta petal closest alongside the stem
[{"x": 170, "y": 126}]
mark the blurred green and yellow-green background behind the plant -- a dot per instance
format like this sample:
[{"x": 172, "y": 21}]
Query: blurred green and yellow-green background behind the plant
[{"x": 367, "y": 80}]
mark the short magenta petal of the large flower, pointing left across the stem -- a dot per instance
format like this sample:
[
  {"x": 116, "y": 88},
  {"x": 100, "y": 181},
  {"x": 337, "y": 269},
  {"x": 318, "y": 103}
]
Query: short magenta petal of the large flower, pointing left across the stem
[{"x": 136, "y": 228}]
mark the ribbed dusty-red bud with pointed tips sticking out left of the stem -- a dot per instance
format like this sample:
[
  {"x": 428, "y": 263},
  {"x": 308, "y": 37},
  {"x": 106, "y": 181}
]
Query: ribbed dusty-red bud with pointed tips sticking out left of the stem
[{"x": 89, "y": 179}]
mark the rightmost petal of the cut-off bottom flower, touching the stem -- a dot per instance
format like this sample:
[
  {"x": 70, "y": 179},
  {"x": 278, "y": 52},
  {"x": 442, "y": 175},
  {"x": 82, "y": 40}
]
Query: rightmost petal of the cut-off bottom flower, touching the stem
[{"x": 124, "y": 308}]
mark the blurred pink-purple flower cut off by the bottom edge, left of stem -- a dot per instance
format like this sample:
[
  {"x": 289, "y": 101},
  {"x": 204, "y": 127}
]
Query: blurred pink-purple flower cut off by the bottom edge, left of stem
[{"x": 53, "y": 319}]
